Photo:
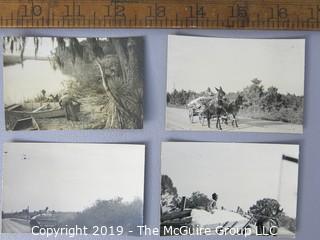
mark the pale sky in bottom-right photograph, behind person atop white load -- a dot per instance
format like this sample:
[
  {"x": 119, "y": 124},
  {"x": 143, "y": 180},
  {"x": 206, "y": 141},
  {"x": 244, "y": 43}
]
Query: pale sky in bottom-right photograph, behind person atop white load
[{"x": 239, "y": 173}]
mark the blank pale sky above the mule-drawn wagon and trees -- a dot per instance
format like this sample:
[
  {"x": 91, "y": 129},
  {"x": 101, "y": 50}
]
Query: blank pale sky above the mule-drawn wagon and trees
[{"x": 196, "y": 63}]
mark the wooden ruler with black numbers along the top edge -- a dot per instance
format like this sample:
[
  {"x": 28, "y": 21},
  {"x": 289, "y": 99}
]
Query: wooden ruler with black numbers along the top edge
[{"x": 189, "y": 14}]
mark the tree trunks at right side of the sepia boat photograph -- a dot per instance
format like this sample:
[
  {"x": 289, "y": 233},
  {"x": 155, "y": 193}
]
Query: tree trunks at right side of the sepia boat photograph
[{"x": 127, "y": 95}]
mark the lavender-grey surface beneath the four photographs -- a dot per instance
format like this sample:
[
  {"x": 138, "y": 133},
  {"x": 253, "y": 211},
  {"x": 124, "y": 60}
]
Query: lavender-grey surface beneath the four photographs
[{"x": 308, "y": 215}]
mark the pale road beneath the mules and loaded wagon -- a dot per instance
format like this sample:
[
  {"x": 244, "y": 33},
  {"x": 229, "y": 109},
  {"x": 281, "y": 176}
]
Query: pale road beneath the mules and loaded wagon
[{"x": 177, "y": 119}]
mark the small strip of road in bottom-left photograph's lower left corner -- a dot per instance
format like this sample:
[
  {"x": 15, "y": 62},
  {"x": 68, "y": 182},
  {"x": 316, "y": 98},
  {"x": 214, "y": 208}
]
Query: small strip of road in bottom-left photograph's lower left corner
[{"x": 15, "y": 226}]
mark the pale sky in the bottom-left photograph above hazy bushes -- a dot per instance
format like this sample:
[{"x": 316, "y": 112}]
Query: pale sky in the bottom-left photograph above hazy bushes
[{"x": 70, "y": 177}]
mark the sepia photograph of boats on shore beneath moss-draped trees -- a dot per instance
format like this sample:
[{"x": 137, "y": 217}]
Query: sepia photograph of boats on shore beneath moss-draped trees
[{"x": 66, "y": 83}]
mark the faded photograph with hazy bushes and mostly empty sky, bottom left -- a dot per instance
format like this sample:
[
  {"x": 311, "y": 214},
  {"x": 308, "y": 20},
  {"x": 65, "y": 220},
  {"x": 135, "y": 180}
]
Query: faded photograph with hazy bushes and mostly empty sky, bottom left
[{"x": 58, "y": 186}]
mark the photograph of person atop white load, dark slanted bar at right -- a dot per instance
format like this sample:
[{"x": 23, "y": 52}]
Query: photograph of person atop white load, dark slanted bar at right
[{"x": 229, "y": 189}]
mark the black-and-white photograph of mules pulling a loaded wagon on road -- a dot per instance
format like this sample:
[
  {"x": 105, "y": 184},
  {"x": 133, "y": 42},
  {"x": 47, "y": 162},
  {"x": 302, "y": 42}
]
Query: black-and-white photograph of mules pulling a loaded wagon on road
[{"x": 226, "y": 84}]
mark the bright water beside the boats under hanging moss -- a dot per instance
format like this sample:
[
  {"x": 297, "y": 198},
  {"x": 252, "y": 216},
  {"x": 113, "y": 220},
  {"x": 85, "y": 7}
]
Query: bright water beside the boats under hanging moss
[{"x": 27, "y": 82}]
